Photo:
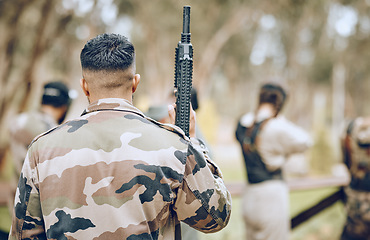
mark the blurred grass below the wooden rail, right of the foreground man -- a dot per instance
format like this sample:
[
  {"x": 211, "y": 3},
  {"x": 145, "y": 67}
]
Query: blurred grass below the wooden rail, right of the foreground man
[{"x": 326, "y": 225}]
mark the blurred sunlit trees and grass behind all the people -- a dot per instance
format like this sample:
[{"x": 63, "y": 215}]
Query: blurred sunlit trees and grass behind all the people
[{"x": 319, "y": 50}]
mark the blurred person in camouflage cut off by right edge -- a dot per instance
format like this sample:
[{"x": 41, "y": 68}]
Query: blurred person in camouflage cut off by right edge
[{"x": 356, "y": 156}]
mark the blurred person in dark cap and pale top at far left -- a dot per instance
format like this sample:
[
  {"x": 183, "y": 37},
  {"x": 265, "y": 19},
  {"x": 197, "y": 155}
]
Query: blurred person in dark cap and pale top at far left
[{"x": 26, "y": 126}]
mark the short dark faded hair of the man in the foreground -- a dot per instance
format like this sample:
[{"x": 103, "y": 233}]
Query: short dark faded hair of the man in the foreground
[{"x": 110, "y": 52}]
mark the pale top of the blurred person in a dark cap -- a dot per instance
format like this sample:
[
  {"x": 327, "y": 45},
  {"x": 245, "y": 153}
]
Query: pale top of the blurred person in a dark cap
[{"x": 23, "y": 129}]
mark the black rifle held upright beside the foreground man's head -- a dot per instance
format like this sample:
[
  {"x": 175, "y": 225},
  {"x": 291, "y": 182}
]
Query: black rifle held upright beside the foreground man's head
[{"x": 183, "y": 74}]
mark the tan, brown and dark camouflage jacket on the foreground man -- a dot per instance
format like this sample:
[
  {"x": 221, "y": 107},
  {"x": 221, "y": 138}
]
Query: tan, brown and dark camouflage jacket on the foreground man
[{"x": 115, "y": 174}]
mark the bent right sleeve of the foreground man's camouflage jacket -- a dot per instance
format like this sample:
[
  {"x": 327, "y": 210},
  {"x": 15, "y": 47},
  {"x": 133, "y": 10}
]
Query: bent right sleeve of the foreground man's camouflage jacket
[{"x": 203, "y": 202}]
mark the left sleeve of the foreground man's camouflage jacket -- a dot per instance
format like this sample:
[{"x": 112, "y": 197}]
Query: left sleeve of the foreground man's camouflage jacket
[{"x": 27, "y": 220}]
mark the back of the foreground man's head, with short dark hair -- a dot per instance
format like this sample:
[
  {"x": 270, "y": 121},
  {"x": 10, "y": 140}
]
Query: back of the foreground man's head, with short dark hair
[{"x": 108, "y": 62}]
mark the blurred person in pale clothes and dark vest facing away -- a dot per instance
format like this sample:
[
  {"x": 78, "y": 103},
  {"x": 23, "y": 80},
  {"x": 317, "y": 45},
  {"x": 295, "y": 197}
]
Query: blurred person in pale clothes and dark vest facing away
[{"x": 267, "y": 140}]
